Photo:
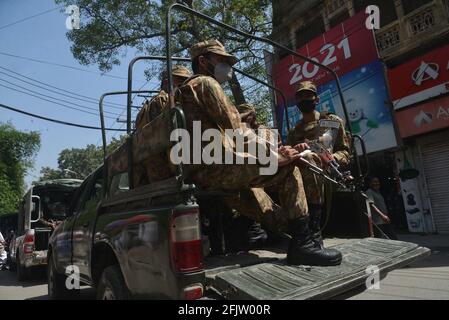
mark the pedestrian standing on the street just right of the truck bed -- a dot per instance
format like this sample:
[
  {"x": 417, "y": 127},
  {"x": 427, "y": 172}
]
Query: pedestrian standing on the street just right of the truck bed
[{"x": 379, "y": 211}]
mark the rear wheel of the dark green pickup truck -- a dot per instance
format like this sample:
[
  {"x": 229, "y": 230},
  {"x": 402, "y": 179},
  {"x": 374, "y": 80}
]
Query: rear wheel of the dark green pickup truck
[{"x": 112, "y": 286}]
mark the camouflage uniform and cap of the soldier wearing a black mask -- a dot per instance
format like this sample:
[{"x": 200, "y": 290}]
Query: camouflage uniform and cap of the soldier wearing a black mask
[{"x": 314, "y": 185}]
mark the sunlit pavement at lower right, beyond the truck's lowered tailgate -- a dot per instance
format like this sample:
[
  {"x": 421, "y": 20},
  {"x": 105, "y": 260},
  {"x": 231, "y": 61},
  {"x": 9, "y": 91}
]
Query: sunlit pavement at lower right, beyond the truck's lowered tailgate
[{"x": 427, "y": 279}]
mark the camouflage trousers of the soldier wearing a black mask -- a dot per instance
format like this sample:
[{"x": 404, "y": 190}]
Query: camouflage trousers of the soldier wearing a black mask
[{"x": 313, "y": 184}]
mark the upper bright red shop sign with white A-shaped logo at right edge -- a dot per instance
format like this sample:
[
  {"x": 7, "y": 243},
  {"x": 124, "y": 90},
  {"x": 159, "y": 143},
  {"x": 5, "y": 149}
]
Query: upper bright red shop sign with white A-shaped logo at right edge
[{"x": 420, "y": 79}]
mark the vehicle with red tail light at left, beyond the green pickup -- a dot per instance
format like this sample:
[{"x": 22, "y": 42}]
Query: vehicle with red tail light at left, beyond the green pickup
[{"x": 43, "y": 207}]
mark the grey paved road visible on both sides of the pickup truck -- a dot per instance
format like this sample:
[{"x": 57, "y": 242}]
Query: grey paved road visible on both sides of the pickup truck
[{"x": 426, "y": 279}]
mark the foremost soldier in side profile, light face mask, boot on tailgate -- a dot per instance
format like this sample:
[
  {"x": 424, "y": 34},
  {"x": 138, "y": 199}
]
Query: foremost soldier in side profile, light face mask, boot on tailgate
[{"x": 204, "y": 100}]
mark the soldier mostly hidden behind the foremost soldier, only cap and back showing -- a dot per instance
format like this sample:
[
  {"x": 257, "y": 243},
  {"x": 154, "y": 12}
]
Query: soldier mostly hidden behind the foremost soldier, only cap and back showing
[{"x": 152, "y": 108}]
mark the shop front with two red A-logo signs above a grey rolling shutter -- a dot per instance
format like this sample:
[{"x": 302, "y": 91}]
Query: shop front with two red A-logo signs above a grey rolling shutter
[{"x": 420, "y": 93}]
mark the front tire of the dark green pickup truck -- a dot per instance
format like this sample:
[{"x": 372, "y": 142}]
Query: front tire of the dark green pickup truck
[{"x": 56, "y": 283}]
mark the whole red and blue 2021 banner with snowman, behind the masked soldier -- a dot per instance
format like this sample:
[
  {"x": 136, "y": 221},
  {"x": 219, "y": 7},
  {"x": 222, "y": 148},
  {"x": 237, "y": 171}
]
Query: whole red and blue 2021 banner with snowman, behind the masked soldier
[{"x": 350, "y": 50}]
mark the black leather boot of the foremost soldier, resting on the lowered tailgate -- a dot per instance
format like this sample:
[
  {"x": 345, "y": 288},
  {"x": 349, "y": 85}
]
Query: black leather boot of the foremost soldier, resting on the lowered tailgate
[{"x": 304, "y": 250}]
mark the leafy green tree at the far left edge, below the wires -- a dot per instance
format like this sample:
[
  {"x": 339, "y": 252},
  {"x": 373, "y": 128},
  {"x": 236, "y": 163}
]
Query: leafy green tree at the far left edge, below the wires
[{"x": 17, "y": 151}]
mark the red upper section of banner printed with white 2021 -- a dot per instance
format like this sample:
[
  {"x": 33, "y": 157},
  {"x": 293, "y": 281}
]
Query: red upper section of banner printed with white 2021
[{"x": 343, "y": 48}]
